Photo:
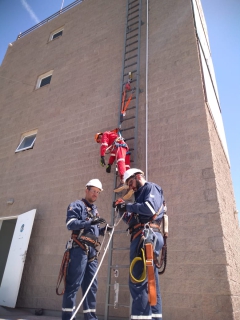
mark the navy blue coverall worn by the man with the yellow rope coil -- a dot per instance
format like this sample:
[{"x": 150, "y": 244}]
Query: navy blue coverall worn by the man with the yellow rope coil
[{"x": 148, "y": 200}]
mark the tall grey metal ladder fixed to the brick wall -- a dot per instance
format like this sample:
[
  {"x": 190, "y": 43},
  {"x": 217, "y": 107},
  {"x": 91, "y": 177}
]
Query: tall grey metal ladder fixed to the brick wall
[{"x": 117, "y": 275}]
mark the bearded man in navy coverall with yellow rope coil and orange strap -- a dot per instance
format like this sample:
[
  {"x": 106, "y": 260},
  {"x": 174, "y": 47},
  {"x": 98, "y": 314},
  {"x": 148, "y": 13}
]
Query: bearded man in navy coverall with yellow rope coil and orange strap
[{"x": 145, "y": 214}]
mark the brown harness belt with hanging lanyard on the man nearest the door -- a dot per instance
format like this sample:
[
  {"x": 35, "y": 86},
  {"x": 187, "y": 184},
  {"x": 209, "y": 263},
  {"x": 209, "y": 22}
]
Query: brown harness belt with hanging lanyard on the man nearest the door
[{"x": 83, "y": 241}]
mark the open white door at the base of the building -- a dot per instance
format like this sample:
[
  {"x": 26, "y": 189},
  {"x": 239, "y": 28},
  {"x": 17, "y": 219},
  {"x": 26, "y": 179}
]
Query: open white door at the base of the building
[{"x": 16, "y": 258}]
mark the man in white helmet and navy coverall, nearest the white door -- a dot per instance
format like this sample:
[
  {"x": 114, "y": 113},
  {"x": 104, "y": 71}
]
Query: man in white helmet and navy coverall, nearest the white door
[{"x": 84, "y": 220}]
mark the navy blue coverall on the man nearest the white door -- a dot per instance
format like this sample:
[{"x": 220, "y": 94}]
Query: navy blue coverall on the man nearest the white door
[{"x": 80, "y": 270}]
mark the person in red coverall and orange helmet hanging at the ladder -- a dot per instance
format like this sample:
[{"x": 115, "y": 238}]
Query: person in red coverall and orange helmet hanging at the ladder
[{"x": 112, "y": 141}]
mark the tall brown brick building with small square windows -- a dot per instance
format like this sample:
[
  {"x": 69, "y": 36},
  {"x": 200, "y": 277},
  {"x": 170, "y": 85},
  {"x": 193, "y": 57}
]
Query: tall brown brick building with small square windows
[{"x": 65, "y": 88}]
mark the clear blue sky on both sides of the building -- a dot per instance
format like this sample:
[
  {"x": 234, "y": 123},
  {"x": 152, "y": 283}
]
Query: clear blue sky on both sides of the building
[{"x": 223, "y": 22}]
